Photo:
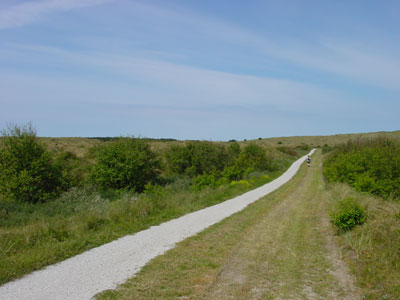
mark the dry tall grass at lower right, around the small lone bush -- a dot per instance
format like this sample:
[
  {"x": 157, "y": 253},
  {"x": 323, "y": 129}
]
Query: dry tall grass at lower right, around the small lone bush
[{"x": 372, "y": 250}]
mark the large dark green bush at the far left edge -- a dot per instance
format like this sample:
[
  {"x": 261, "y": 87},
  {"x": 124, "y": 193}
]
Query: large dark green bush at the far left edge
[{"x": 28, "y": 171}]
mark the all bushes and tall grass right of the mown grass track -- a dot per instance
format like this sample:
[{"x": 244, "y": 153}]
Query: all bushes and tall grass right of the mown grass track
[{"x": 372, "y": 249}]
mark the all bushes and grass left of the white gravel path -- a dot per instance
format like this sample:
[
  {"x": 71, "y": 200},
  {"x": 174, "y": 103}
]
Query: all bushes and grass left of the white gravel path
[{"x": 113, "y": 188}]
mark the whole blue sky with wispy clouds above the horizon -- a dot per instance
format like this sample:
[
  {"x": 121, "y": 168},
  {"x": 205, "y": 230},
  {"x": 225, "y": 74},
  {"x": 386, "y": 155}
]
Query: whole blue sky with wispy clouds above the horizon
[{"x": 215, "y": 70}]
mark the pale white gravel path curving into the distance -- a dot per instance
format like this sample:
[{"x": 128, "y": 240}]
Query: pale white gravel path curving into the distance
[{"x": 105, "y": 267}]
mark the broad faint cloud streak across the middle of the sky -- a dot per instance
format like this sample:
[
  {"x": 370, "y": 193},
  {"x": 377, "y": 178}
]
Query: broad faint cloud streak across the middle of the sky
[{"x": 158, "y": 82}]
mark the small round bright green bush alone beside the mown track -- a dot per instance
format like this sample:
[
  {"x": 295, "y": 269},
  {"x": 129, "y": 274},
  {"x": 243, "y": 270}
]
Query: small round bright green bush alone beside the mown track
[{"x": 348, "y": 214}]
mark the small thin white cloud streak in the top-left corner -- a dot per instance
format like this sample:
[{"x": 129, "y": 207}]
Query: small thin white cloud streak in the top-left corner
[{"x": 31, "y": 11}]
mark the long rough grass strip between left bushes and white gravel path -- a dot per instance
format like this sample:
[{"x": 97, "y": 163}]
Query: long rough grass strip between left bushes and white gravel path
[{"x": 33, "y": 236}]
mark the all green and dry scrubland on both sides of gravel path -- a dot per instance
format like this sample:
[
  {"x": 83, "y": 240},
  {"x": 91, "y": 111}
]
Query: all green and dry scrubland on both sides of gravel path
[{"x": 338, "y": 219}]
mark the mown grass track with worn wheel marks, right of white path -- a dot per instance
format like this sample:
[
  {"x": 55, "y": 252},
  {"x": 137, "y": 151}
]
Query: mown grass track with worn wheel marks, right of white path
[{"x": 274, "y": 249}]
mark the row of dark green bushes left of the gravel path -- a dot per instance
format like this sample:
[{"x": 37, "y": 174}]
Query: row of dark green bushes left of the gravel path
[{"x": 30, "y": 173}]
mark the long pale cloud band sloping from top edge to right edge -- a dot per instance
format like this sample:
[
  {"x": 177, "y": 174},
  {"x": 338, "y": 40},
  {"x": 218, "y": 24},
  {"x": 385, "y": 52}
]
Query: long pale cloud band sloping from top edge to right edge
[{"x": 352, "y": 58}]
